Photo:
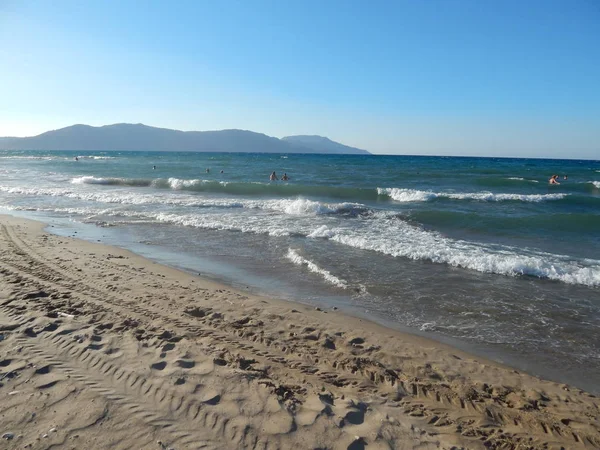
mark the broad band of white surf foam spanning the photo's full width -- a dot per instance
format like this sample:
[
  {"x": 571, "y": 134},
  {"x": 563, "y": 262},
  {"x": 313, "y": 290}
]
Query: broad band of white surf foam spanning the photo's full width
[{"x": 380, "y": 232}]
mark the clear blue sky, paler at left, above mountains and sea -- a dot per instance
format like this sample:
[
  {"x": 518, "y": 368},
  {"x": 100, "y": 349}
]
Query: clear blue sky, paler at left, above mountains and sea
[{"x": 450, "y": 77}]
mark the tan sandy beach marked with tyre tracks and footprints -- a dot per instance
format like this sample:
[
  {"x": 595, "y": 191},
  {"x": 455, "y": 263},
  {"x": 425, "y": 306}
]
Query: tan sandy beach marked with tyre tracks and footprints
[{"x": 103, "y": 349}]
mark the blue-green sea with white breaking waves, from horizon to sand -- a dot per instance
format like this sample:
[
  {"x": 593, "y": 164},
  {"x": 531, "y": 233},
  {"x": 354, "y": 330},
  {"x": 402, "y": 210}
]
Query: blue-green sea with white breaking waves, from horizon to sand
[{"x": 479, "y": 253}]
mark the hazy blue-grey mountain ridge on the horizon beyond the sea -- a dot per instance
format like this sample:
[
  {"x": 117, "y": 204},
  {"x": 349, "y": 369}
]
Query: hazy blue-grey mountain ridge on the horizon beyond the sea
[{"x": 139, "y": 137}]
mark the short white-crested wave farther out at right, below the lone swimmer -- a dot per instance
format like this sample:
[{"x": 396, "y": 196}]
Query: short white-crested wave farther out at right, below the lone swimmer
[{"x": 414, "y": 195}]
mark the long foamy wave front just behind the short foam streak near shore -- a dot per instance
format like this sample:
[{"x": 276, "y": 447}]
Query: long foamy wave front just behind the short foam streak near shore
[{"x": 388, "y": 235}]
